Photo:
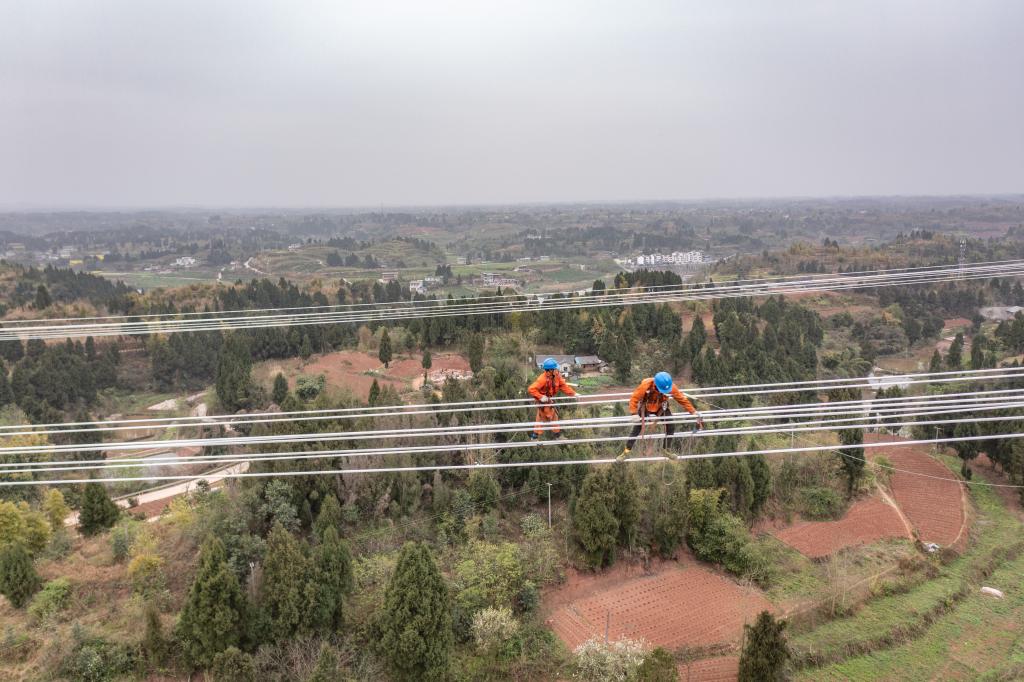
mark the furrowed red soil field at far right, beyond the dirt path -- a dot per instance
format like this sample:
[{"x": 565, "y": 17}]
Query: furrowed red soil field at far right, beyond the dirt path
[{"x": 935, "y": 508}]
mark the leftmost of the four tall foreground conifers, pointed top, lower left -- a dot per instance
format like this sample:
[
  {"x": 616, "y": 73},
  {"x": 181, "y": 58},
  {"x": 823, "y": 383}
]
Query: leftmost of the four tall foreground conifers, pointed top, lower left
[{"x": 214, "y": 617}]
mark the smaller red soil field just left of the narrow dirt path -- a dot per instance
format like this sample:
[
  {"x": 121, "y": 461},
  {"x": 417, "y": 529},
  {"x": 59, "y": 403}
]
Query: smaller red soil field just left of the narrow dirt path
[{"x": 867, "y": 522}]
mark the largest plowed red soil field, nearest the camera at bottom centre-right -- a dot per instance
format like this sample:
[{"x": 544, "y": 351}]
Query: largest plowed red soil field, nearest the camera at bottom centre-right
[{"x": 675, "y": 607}]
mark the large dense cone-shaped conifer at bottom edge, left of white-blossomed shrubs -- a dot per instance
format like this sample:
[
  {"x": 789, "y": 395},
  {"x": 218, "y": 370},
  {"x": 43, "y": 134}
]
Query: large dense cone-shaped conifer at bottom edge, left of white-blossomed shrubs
[{"x": 415, "y": 622}]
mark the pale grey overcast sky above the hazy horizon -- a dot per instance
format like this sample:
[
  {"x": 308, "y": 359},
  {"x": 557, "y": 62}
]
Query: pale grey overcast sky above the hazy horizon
[{"x": 196, "y": 103}]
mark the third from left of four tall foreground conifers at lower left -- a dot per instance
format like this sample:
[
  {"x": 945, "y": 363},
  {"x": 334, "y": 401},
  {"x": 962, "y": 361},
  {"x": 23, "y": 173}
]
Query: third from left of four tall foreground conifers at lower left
[{"x": 329, "y": 583}]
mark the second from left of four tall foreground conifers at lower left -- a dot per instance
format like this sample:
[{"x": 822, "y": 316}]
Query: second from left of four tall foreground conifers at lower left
[{"x": 282, "y": 590}]
